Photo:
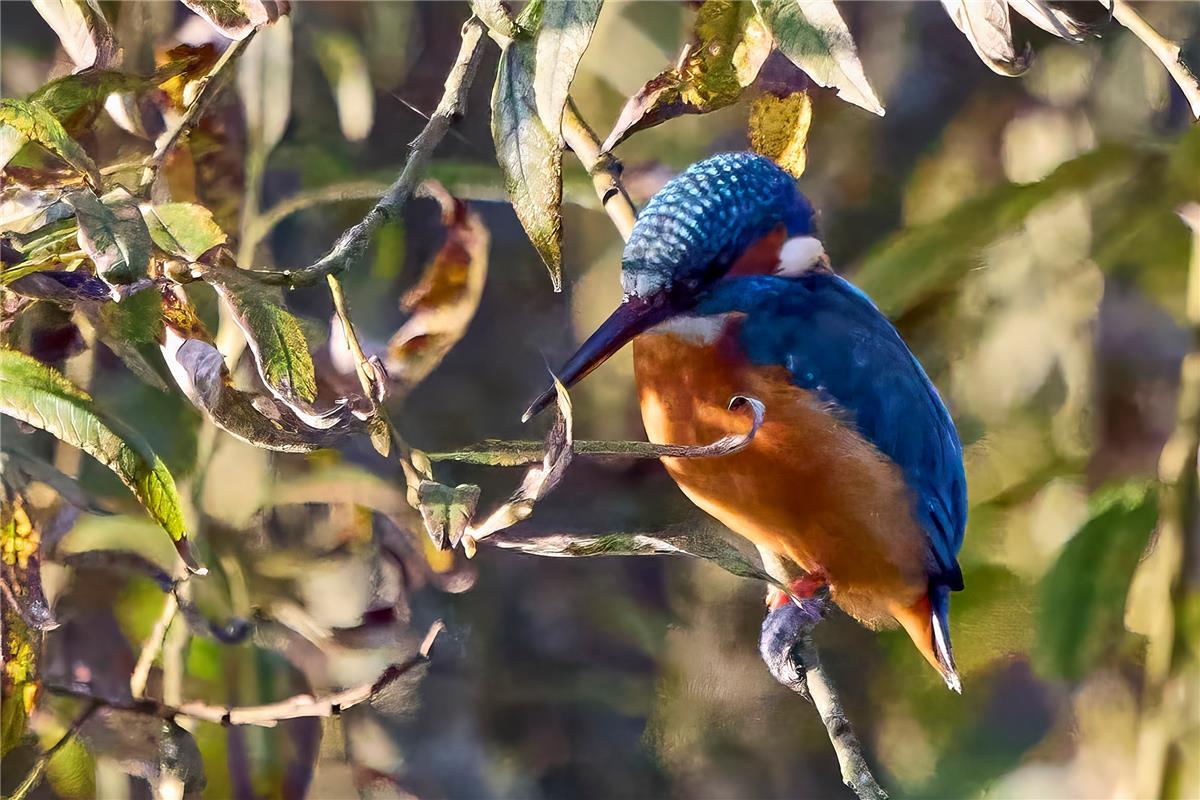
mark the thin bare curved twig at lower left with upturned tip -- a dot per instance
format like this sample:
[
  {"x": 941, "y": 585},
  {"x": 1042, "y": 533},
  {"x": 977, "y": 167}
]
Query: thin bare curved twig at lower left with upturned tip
[{"x": 272, "y": 714}]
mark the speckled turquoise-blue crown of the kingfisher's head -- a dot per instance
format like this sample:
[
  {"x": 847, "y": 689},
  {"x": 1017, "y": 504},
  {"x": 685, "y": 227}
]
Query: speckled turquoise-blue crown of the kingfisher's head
[{"x": 705, "y": 218}]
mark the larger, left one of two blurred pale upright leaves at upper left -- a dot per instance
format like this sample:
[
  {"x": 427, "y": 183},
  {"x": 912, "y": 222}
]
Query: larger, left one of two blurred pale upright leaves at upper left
[{"x": 265, "y": 82}]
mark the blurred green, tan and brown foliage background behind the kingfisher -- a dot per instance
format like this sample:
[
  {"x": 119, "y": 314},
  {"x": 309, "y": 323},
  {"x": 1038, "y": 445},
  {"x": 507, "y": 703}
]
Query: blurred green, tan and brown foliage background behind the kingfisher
[{"x": 1023, "y": 234}]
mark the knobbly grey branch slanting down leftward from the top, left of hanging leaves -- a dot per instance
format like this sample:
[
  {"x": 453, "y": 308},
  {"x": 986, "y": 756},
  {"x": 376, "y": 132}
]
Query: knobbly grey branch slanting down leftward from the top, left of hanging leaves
[{"x": 353, "y": 244}]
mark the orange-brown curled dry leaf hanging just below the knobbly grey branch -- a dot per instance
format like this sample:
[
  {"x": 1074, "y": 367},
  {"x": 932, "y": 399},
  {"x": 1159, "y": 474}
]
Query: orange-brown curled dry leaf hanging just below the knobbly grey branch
[{"x": 443, "y": 302}]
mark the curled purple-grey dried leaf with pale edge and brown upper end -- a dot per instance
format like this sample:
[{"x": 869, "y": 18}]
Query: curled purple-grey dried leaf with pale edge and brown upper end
[{"x": 201, "y": 372}]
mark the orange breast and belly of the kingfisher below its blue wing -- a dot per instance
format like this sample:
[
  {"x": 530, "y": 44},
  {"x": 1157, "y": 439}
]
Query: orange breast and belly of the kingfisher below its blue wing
[{"x": 808, "y": 489}]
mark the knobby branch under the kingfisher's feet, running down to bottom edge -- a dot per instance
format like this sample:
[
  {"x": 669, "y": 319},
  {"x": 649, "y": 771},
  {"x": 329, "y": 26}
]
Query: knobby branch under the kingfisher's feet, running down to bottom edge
[{"x": 787, "y": 647}]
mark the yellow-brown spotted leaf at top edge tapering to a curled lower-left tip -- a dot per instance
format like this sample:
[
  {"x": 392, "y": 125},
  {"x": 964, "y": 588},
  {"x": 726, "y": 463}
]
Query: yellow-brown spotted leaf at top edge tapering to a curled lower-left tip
[{"x": 730, "y": 45}]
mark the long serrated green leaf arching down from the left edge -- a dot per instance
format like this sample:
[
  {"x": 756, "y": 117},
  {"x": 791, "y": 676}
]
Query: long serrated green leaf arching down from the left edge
[{"x": 43, "y": 398}]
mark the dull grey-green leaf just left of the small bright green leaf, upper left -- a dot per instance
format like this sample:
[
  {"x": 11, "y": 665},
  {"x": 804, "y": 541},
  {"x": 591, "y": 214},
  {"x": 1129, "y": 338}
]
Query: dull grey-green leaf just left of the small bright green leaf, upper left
[{"x": 113, "y": 234}]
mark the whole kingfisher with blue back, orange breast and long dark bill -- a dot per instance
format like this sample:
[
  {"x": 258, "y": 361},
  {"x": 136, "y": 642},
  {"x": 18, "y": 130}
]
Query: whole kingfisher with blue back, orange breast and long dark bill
[{"x": 855, "y": 483}]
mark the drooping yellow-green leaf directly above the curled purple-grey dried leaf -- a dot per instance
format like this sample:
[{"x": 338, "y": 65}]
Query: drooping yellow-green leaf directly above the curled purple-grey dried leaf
[{"x": 273, "y": 334}]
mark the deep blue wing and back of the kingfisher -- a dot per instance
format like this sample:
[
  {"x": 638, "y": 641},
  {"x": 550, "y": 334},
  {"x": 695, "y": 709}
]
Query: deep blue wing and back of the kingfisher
[{"x": 836, "y": 344}]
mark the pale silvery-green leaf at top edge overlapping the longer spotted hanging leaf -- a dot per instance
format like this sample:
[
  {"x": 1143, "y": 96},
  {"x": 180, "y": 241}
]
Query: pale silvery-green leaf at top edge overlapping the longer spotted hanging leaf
[{"x": 562, "y": 39}]
